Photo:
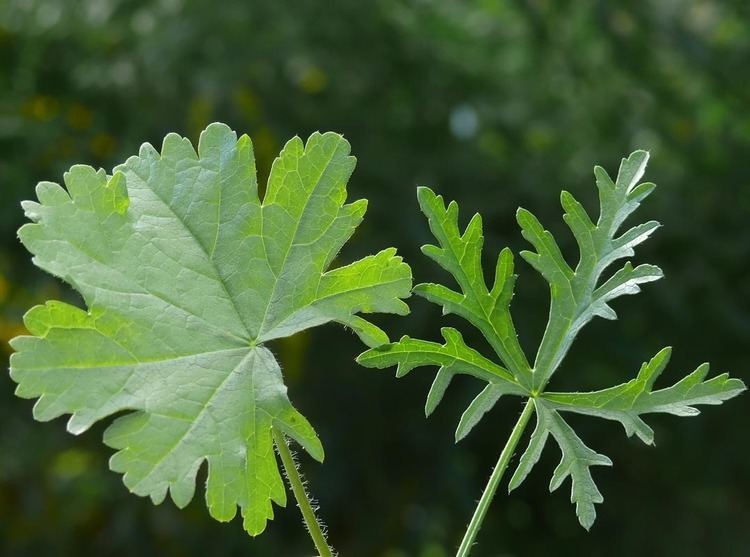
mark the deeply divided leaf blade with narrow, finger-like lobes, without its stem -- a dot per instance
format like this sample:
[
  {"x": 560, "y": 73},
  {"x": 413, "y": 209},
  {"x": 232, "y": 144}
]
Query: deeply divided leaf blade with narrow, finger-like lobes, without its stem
[{"x": 577, "y": 295}]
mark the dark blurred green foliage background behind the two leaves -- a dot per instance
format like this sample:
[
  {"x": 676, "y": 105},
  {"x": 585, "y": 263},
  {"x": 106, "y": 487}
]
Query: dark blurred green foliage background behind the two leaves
[{"x": 497, "y": 104}]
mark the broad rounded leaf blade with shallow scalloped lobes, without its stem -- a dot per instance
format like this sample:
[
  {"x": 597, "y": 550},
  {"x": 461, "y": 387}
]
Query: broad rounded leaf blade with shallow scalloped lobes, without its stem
[{"x": 186, "y": 275}]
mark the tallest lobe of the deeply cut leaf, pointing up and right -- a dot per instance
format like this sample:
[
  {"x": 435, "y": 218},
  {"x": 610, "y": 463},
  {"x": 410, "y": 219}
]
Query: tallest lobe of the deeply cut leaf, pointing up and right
[{"x": 575, "y": 297}]
